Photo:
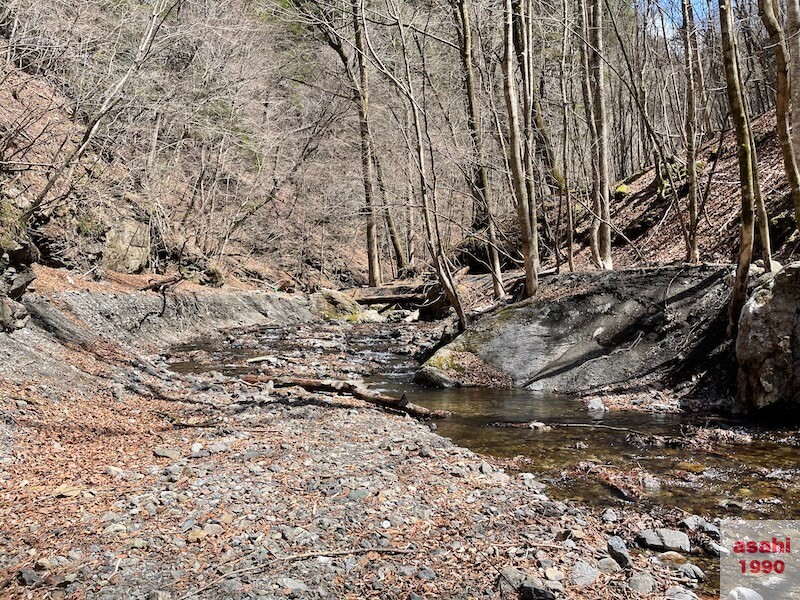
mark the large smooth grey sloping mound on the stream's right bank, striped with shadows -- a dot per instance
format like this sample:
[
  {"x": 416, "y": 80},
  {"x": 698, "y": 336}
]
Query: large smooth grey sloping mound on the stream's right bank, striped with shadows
[{"x": 584, "y": 332}]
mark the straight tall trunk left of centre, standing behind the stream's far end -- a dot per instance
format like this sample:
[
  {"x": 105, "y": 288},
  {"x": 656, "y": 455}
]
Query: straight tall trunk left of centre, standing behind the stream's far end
[{"x": 373, "y": 267}]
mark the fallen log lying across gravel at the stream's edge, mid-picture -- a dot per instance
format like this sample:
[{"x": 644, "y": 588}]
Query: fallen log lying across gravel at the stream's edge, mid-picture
[{"x": 351, "y": 388}]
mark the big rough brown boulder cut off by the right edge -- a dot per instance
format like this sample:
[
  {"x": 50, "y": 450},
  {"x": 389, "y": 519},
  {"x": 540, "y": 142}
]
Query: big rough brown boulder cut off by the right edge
[{"x": 768, "y": 343}]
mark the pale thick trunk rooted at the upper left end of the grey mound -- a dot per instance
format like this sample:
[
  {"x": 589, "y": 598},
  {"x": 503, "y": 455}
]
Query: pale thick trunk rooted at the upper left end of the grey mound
[{"x": 515, "y": 152}]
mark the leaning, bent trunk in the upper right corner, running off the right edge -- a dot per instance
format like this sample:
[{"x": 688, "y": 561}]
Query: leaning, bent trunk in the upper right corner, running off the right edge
[{"x": 783, "y": 106}]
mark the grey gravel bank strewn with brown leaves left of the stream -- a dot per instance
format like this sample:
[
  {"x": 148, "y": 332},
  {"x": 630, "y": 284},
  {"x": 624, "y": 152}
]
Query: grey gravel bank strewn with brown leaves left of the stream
[{"x": 121, "y": 478}]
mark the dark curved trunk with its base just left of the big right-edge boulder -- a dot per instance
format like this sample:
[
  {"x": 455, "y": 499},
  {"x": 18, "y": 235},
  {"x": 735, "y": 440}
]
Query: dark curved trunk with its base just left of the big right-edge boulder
[{"x": 745, "y": 155}]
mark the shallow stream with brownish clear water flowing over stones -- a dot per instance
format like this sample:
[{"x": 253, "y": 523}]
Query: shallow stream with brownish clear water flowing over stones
[{"x": 753, "y": 480}]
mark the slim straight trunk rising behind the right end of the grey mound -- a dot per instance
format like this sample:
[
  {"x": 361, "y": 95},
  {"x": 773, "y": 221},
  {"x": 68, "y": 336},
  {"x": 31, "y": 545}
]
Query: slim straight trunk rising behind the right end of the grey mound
[{"x": 690, "y": 129}]
